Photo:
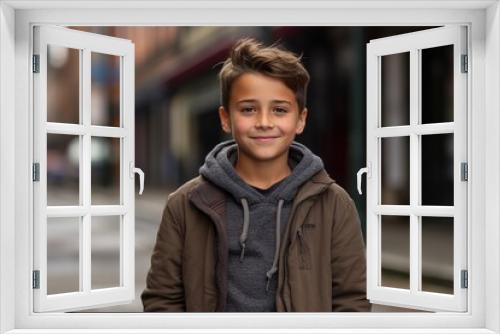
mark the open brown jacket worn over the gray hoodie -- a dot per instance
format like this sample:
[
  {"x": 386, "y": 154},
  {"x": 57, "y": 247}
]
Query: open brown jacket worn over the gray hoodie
[{"x": 321, "y": 261}]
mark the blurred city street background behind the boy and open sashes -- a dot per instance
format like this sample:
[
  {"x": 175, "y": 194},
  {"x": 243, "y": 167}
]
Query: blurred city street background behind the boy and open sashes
[{"x": 176, "y": 125}]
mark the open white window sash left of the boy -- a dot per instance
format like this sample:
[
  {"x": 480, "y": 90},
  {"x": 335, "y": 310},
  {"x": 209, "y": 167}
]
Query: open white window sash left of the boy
[{"x": 86, "y": 297}]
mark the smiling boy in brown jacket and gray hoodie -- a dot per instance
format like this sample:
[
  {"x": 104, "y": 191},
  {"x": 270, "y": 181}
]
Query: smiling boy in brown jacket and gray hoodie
[{"x": 263, "y": 228}]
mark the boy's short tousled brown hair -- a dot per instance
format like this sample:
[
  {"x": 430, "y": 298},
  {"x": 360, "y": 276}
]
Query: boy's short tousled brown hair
[{"x": 250, "y": 56}]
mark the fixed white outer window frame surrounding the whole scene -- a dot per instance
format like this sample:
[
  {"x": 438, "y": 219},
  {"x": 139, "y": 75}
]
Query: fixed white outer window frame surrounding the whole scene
[{"x": 16, "y": 18}]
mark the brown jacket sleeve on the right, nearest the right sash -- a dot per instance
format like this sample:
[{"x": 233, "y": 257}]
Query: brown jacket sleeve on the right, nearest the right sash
[{"x": 348, "y": 259}]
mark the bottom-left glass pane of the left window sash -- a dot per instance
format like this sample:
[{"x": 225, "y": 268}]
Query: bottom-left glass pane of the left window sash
[{"x": 63, "y": 266}]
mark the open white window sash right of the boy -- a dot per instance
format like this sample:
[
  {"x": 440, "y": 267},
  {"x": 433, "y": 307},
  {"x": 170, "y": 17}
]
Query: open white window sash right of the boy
[{"x": 414, "y": 297}]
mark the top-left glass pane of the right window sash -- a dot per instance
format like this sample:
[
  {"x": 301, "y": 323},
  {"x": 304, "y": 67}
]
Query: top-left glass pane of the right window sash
[{"x": 395, "y": 89}]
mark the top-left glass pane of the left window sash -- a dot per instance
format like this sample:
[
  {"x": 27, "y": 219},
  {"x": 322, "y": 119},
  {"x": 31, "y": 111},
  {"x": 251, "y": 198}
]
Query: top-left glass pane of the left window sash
[{"x": 63, "y": 84}]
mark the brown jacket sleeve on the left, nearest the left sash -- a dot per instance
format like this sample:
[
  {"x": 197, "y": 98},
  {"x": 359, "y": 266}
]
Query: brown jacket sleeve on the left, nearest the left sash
[{"x": 164, "y": 286}]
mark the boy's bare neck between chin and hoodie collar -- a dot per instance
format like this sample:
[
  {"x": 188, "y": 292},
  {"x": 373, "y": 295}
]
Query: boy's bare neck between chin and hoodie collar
[{"x": 262, "y": 174}]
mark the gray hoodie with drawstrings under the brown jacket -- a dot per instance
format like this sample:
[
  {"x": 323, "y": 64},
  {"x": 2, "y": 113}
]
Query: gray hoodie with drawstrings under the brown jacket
[{"x": 253, "y": 217}]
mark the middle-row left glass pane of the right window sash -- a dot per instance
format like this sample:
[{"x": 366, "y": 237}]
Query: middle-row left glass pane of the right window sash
[{"x": 395, "y": 170}]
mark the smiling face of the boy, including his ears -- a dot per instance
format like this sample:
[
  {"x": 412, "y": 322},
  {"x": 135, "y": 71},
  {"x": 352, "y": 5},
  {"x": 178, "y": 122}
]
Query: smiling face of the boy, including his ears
[{"x": 263, "y": 117}]
